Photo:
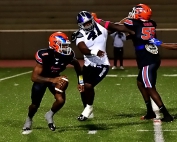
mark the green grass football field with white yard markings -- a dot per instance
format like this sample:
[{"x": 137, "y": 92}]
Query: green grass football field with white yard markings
[{"x": 117, "y": 109}]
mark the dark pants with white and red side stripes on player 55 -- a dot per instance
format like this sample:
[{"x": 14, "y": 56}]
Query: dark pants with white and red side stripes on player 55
[{"x": 148, "y": 75}]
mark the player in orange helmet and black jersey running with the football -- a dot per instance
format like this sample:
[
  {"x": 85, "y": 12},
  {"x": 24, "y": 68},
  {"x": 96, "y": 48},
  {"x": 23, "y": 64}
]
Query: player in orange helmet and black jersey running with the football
[{"x": 50, "y": 63}]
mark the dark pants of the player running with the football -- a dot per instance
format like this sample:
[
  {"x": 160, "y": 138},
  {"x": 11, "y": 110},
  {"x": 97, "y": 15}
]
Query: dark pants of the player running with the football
[{"x": 38, "y": 91}]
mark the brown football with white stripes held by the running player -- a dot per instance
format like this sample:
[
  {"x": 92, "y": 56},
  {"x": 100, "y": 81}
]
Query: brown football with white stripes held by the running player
[{"x": 62, "y": 84}]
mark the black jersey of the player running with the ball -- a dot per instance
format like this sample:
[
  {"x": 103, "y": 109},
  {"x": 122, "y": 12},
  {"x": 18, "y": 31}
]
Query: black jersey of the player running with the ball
[{"x": 53, "y": 62}]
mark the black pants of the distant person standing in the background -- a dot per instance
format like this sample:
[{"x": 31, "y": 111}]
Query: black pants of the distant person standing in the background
[{"x": 118, "y": 54}]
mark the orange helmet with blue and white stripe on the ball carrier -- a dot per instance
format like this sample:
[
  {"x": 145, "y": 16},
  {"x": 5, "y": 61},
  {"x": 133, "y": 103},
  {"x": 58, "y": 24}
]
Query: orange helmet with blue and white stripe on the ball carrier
[{"x": 59, "y": 42}]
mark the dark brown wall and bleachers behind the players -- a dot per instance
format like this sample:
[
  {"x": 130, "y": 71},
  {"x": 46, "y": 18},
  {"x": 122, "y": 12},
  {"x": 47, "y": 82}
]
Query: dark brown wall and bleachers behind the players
[{"x": 25, "y": 25}]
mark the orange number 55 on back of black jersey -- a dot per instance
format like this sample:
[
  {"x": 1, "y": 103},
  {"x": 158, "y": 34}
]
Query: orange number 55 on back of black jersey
[{"x": 147, "y": 33}]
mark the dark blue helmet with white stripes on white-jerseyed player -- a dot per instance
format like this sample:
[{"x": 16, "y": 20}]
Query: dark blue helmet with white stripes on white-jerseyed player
[{"x": 85, "y": 21}]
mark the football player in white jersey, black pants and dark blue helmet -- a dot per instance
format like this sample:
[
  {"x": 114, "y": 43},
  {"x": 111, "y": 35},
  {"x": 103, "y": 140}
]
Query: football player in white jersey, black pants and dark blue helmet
[{"x": 91, "y": 40}]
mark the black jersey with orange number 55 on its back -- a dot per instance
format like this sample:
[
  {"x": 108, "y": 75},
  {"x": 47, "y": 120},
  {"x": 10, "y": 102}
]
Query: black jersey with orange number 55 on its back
[{"x": 144, "y": 30}]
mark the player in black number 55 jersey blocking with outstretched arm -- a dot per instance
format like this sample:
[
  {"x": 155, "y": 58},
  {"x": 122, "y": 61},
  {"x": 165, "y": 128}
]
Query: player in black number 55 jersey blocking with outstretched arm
[{"x": 147, "y": 56}]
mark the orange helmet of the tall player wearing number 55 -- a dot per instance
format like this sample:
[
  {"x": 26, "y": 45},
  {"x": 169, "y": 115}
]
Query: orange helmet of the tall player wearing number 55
[{"x": 141, "y": 12}]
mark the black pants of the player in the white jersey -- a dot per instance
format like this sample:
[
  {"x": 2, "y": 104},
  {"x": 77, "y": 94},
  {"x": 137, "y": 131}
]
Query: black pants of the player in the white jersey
[{"x": 93, "y": 75}]
